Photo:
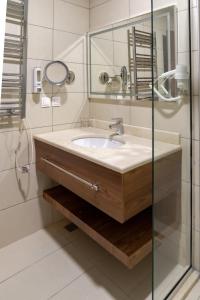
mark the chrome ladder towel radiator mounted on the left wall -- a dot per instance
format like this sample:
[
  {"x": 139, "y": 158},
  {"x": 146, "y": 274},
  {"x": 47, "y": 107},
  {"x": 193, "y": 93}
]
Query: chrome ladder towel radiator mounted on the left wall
[{"x": 13, "y": 94}]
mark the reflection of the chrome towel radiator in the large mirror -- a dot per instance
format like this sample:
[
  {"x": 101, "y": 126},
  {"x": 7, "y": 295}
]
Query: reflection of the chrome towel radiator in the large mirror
[{"x": 141, "y": 56}]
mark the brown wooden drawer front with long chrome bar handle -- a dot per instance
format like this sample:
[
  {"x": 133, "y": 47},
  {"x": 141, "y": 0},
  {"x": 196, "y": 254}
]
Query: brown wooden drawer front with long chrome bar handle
[{"x": 97, "y": 185}]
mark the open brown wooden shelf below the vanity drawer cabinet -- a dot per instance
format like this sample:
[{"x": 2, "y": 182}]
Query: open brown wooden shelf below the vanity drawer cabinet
[{"x": 129, "y": 242}]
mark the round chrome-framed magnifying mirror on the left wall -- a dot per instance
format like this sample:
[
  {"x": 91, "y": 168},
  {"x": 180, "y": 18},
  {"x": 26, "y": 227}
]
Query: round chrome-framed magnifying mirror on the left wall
[{"x": 56, "y": 73}]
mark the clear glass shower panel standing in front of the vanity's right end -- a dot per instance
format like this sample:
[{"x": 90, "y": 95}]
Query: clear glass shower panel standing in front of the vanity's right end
[{"x": 171, "y": 147}]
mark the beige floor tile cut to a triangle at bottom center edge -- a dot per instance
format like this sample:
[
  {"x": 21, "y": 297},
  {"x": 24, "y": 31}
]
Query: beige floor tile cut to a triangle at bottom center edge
[{"x": 90, "y": 286}]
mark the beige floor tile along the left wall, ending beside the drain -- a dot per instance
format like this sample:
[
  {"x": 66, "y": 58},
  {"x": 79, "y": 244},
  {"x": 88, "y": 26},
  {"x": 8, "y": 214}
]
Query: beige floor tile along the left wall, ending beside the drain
[{"x": 28, "y": 250}]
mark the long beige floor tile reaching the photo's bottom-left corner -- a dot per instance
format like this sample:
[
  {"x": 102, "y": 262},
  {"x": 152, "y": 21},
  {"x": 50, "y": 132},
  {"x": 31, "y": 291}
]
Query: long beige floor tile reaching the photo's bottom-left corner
[{"x": 46, "y": 277}]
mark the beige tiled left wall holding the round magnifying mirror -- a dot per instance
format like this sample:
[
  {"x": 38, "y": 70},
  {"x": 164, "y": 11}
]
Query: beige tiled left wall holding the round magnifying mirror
[{"x": 55, "y": 31}]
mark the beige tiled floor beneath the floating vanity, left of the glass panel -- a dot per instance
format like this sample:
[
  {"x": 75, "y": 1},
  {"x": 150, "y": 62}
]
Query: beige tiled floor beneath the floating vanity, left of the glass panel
[{"x": 55, "y": 264}]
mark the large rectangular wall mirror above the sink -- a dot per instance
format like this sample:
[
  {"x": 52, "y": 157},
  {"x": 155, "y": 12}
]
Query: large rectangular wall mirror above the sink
[{"x": 120, "y": 56}]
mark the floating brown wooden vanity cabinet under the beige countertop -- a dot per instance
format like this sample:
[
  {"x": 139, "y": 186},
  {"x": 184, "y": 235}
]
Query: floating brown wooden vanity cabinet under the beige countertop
[{"x": 121, "y": 196}]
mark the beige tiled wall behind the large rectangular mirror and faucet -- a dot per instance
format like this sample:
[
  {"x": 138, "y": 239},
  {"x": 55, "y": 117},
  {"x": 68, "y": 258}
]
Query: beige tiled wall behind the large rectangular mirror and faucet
[{"x": 103, "y": 13}]
